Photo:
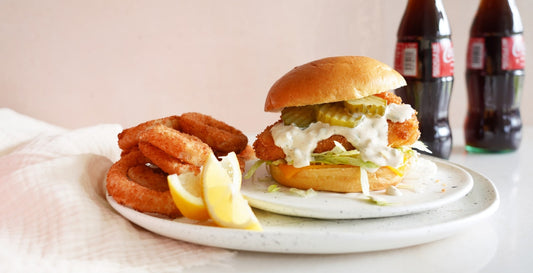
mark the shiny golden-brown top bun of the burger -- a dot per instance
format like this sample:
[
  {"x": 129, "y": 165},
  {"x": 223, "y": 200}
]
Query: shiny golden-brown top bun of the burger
[{"x": 332, "y": 79}]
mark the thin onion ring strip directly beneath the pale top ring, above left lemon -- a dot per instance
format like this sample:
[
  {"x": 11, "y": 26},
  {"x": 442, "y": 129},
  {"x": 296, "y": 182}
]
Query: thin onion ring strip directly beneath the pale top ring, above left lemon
[{"x": 164, "y": 161}]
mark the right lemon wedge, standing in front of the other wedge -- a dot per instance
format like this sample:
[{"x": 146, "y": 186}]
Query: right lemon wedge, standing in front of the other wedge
[{"x": 224, "y": 201}]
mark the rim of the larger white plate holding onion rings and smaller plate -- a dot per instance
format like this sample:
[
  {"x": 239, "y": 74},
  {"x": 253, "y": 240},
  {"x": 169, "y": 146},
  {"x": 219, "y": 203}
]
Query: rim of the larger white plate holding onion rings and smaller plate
[{"x": 288, "y": 238}]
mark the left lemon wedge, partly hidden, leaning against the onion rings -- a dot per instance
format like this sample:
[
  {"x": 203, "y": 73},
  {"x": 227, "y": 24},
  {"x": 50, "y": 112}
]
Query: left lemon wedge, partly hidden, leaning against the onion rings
[{"x": 186, "y": 191}]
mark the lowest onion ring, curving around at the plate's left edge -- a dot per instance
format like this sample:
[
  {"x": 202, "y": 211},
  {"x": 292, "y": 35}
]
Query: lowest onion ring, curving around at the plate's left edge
[{"x": 134, "y": 195}]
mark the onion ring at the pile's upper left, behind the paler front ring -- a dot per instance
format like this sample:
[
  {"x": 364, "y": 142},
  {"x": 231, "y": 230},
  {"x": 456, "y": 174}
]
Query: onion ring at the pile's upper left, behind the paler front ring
[{"x": 128, "y": 138}]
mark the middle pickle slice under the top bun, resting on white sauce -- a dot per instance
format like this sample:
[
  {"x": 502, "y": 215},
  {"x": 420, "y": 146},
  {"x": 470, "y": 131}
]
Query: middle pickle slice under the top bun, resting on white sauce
[{"x": 336, "y": 114}]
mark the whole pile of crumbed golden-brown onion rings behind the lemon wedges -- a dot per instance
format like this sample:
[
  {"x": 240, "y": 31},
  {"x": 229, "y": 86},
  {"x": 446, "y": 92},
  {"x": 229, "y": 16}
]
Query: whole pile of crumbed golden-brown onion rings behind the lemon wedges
[{"x": 172, "y": 145}]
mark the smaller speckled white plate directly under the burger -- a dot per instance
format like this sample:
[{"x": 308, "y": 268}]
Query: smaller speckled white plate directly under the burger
[{"x": 450, "y": 183}]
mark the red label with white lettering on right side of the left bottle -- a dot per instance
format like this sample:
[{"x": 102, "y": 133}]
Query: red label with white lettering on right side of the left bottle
[{"x": 443, "y": 59}]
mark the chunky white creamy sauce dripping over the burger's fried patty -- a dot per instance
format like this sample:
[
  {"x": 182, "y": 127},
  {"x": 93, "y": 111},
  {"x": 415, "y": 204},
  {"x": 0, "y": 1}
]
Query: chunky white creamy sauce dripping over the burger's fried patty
[{"x": 370, "y": 137}]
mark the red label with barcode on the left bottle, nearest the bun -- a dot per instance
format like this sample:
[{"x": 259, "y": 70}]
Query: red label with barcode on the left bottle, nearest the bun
[{"x": 406, "y": 59}]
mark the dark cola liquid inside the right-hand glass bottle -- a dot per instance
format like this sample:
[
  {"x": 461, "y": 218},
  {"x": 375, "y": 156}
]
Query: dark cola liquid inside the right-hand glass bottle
[{"x": 493, "y": 122}]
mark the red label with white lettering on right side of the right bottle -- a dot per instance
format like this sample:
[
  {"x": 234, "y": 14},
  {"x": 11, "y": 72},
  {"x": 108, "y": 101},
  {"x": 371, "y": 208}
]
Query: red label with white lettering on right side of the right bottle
[{"x": 513, "y": 53}]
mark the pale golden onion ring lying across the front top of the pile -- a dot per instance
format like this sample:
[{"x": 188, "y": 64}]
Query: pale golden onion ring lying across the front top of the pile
[{"x": 184, "y": 147}]
